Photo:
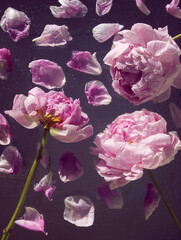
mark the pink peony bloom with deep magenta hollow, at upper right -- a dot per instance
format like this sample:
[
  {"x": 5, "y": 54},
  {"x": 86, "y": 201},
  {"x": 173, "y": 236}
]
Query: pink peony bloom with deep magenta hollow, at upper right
[{"x": 144, "y": 63}]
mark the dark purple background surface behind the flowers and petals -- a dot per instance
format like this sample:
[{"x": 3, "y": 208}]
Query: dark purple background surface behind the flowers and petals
[{"x": 127, "y": 223}]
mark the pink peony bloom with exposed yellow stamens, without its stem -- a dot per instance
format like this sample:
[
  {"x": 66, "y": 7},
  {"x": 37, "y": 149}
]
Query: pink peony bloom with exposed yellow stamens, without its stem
[{"x": 63, "y": 116}]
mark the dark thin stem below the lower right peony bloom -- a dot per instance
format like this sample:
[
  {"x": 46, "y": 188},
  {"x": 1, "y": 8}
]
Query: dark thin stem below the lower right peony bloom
[{"x": 150, "y": 174}]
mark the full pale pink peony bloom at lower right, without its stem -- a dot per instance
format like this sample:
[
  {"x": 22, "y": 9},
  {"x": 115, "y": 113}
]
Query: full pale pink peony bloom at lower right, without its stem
[{"x": 131, "y": 143}]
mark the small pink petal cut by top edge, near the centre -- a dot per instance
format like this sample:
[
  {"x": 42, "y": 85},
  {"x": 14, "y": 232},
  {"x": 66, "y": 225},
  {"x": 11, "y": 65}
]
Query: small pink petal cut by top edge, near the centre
[{"x": 103, "y": 7}]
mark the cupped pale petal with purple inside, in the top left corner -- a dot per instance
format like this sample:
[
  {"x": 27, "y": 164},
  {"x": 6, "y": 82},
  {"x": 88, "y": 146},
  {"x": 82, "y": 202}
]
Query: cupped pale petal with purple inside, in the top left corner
[{"x": 16, "y": 23}]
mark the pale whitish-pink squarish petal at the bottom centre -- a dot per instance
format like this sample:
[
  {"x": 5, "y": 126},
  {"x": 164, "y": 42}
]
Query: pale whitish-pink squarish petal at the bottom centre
[{"x": 79, "y": 210}]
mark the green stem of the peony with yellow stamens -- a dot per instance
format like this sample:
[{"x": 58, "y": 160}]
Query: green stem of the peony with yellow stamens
[{"x": 8, "y": 229}]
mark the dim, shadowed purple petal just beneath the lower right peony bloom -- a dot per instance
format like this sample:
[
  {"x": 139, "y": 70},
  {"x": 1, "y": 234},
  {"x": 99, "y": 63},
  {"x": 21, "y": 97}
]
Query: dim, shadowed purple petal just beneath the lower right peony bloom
[{"x": 112, "y": 198}]
